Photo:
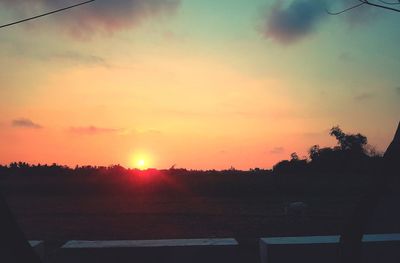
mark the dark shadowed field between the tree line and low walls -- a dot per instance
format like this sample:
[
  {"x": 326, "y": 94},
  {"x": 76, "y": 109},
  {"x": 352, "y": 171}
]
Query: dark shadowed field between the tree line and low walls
[{"x": 171, "y": 206}]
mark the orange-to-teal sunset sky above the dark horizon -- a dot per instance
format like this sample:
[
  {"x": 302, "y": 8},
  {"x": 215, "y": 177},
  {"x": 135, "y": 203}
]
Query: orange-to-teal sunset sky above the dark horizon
[{"x": 199, "y": 84}]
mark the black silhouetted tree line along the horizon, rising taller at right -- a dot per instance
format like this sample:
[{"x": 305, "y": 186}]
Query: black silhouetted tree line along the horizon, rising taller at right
[{"x": 352, "y": 154}]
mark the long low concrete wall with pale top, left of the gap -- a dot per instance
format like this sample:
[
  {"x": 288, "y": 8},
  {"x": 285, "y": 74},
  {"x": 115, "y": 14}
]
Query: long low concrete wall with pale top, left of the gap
[{"x": 169, "y": 250}]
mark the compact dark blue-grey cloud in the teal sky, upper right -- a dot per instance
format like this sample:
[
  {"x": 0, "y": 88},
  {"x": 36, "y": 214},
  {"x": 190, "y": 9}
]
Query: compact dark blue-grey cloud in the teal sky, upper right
[{"x": 289, "y": 24}]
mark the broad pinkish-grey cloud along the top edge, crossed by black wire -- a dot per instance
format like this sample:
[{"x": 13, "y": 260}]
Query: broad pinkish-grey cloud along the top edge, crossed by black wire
[{"x": 101, "y": 16}]
